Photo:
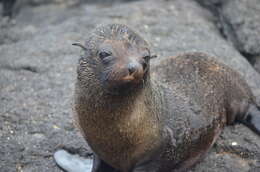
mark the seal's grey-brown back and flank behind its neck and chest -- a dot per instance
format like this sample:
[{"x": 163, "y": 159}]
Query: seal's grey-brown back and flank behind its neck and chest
[{"x": 200, "y": 97}]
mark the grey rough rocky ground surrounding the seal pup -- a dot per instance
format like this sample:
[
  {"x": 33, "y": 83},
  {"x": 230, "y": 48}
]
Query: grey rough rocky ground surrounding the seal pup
[{"x": 37, "y": 71}]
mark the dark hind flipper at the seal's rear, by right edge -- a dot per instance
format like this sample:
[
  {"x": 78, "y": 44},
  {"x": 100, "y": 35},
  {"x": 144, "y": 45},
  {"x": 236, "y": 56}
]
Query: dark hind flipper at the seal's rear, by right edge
[{"x": 252, "y": 119}]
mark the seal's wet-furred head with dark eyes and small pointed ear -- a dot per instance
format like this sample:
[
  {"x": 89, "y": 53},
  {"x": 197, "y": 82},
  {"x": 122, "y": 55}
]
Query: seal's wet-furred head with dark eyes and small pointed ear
[{"x": 116, "y": 57}]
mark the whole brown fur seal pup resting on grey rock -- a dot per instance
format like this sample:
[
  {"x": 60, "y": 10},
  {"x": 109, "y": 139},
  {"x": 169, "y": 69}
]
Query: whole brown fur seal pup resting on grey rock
[{"x": 162, "y": 119}]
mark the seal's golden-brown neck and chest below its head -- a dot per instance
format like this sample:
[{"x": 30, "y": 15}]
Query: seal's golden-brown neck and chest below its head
[{"x": 132, "y": 118}]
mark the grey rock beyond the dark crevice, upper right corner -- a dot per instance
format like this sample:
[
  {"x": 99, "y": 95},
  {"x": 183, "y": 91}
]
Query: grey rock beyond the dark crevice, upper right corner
[{"x": 239, "y": 22}]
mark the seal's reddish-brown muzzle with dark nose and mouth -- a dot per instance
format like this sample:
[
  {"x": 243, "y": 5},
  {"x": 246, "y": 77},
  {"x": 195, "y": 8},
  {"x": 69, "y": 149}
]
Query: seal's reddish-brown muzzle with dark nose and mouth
[{"x": 124, "y": 75}]
